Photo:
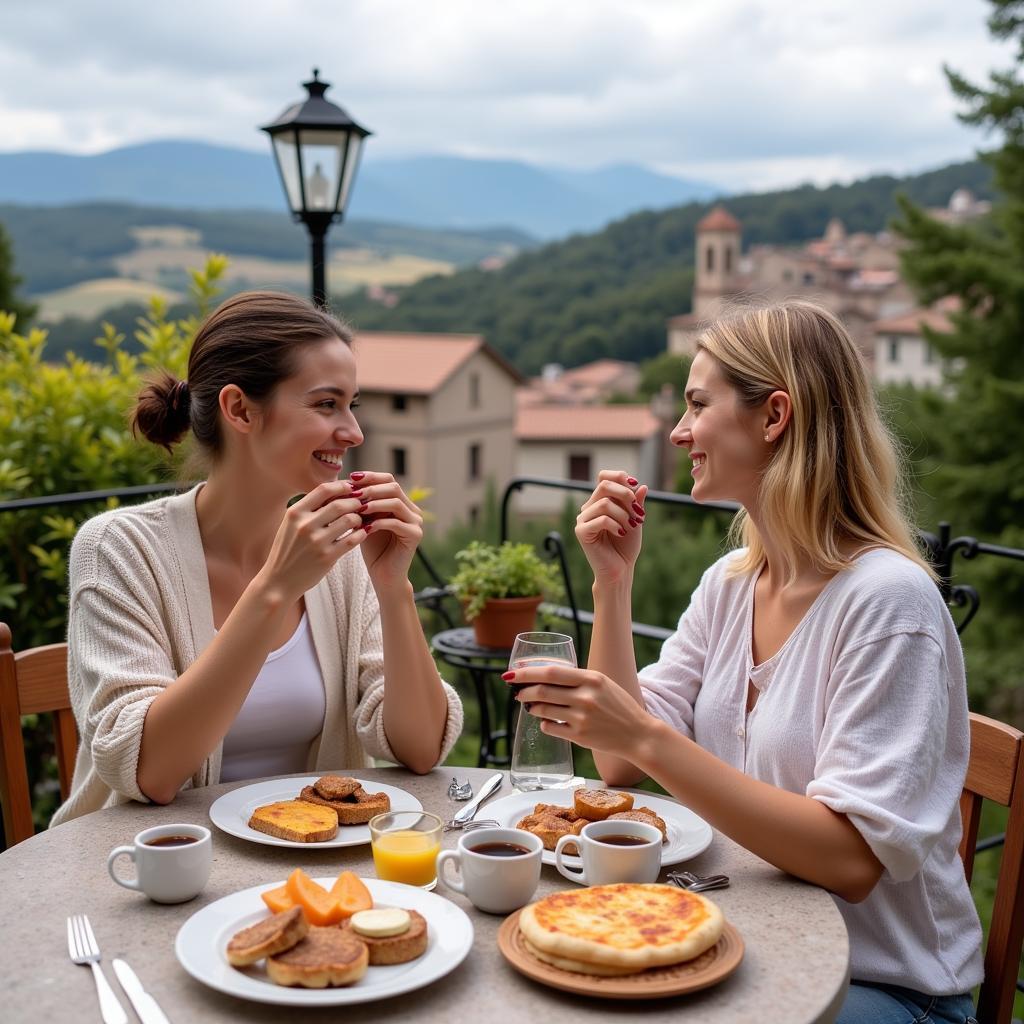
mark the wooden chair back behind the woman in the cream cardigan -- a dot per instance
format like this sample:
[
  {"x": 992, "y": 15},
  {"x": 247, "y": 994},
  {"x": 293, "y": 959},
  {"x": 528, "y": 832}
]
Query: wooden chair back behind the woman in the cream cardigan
[{"x": 32, "y": 682}]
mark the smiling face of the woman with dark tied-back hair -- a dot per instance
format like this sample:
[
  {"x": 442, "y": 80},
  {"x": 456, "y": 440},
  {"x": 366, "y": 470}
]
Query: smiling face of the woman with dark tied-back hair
[{"x": 310, "y": 424}]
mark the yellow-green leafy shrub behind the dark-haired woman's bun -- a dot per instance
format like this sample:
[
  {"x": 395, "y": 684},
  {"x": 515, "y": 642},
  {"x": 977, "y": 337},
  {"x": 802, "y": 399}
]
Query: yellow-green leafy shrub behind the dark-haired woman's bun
[{"x": 64, "y": 429}]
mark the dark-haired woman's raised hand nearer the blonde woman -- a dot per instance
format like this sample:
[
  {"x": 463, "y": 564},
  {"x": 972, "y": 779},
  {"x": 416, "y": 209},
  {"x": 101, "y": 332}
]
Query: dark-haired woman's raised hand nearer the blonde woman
[{"x": 393, "y": 525}]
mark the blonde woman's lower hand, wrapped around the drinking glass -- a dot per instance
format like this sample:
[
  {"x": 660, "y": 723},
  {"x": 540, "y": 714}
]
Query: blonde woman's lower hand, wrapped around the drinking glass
[{"x": 581, "y": 706}]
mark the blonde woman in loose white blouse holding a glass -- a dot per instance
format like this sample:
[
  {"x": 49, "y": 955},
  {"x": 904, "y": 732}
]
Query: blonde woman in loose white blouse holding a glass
[{"x": 813, "y": 703}]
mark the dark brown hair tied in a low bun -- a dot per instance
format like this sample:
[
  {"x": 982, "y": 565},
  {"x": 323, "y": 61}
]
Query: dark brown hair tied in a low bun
[{"x": 250, "y": 340}]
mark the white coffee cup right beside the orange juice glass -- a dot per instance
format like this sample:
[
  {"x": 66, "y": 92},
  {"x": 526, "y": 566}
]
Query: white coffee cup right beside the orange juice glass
[{"x": 496, "y": 884}]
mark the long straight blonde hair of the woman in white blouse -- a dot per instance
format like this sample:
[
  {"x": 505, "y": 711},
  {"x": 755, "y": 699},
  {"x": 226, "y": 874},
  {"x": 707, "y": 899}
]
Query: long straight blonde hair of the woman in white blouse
[{"x": 835, "y": 475}]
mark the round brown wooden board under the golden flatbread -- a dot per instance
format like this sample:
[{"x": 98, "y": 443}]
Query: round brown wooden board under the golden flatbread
[{"x": 710, "y": 968}]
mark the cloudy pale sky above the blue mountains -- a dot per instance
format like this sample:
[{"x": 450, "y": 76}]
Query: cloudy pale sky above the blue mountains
[{"x": 740, "y": 93}]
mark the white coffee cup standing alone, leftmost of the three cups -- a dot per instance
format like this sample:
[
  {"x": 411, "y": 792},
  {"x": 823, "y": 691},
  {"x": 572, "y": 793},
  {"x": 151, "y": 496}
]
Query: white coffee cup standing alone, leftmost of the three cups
[{"x": 167, "y": 873}]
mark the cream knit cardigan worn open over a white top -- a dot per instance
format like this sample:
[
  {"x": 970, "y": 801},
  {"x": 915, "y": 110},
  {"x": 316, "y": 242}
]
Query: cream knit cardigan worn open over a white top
[{"x": 140, "y": 614}]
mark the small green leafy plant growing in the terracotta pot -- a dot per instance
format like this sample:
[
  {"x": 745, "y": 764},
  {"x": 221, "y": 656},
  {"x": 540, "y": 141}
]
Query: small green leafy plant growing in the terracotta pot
[{"x": 506, "y": 571}]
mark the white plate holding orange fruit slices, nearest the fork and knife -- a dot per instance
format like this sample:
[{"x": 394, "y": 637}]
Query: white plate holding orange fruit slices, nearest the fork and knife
[{"x": 203, "y": 938}]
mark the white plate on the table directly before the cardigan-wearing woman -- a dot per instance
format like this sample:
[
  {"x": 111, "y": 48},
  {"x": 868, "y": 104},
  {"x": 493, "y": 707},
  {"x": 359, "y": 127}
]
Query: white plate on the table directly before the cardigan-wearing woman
[{"x": 232, "y": 813}]
